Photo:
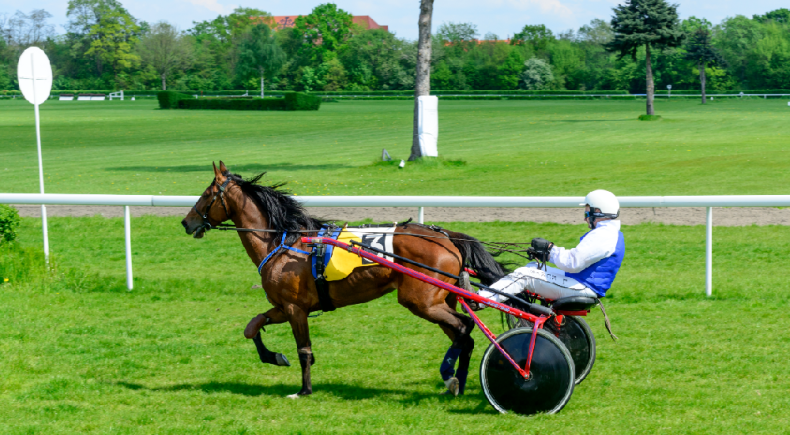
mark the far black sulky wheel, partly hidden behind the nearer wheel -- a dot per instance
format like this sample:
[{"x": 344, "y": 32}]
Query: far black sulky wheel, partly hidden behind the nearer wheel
[{"x": 577, "y": 337}]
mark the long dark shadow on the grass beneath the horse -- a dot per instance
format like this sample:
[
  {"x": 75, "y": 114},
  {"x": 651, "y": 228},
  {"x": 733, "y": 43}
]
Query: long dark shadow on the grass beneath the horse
[{"x": 342, "y": 391}]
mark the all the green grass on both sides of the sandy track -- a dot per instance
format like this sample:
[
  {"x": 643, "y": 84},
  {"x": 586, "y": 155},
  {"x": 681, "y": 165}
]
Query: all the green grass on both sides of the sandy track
[{"x": 80, "y": 354}]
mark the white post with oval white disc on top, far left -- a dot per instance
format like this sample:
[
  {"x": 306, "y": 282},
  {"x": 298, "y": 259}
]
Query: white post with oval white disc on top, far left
[{"x": 35, "y": 81}]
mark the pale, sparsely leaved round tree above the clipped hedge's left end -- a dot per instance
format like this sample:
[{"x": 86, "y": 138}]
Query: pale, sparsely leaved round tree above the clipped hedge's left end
[{"x": 165, "y": 49}]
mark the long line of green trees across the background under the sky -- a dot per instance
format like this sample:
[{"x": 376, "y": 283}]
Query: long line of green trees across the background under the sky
[{"x": 105, "y": 47}]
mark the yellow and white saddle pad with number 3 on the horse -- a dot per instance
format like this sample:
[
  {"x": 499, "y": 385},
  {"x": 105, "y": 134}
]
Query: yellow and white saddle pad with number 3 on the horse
[{"x": 342, "y": 262}]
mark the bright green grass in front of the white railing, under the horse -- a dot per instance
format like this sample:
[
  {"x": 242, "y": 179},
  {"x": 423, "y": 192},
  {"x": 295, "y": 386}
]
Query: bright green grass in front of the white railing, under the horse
[{"x": 80, "y": 354}]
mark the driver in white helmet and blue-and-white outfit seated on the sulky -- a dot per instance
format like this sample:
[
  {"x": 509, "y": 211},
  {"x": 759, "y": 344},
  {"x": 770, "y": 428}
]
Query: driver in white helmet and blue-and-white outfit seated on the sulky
[{"x": 586, "y": 270}]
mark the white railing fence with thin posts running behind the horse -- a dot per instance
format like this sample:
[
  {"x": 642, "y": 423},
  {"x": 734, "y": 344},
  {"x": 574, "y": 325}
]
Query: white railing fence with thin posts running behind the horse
[{"x": 419, "y": 202}]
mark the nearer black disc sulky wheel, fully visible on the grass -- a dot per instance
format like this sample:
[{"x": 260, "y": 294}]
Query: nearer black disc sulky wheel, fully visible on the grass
[{"x": 551, "y": 380}]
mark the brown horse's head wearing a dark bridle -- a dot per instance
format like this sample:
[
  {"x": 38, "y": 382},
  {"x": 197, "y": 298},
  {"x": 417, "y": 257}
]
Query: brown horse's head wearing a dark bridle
[{"x": 211, "y": 209}]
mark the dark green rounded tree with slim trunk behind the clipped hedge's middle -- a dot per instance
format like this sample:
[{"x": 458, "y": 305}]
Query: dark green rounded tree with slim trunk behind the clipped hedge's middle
[{"x": 260, "y": 54}]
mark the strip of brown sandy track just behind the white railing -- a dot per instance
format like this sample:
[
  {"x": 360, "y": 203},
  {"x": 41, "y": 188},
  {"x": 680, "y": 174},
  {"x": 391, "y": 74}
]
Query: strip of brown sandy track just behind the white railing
[{"x": 629, "y": 216}]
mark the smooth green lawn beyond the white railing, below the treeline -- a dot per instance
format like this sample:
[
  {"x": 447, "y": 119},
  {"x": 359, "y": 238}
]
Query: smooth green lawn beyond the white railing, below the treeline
[{"x": 489, "y": 148}]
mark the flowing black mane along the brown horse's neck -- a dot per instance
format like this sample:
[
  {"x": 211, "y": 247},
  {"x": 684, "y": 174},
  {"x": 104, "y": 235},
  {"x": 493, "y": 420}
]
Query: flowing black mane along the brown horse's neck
[{"x": 283, "y": 212}]
